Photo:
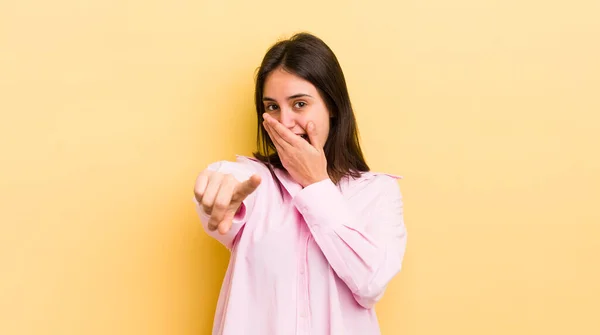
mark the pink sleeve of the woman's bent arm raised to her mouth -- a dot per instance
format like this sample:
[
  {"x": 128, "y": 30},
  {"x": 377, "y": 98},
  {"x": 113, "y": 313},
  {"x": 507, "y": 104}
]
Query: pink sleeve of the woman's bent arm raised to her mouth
[{"x": 365, "y": 251}]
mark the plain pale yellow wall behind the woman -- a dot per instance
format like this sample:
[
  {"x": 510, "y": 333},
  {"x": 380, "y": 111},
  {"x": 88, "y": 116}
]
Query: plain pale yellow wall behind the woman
[{"x": 109, "y": 109}]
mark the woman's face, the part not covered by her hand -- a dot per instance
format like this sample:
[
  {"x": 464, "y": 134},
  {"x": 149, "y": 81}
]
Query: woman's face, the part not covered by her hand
[{"x": 294, "y": 102}]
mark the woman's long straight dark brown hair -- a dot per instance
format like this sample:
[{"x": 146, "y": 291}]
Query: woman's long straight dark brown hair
[{"x": 308, "y": 57}]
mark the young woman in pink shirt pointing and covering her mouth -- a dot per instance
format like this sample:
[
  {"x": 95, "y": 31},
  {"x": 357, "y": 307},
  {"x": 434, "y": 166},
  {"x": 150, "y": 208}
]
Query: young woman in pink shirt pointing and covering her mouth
[{"x": 314, "y": 236}]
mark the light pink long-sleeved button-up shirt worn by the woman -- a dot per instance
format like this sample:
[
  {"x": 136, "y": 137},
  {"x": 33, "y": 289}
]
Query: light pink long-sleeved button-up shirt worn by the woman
[{"x": 310, "y": 261}]
